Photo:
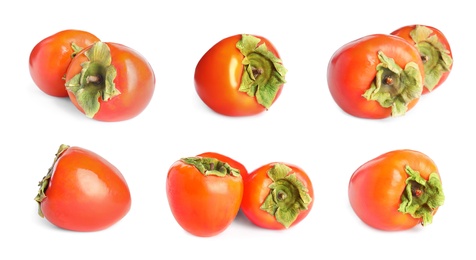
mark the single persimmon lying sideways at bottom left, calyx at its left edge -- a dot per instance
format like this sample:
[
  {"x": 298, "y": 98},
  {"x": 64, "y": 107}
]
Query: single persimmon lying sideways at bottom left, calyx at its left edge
[{"x": 83, "y": 191}]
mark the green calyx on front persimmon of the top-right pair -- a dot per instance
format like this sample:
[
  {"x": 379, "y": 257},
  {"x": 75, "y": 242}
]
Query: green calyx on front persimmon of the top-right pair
[{"x": 394, "y": 86}]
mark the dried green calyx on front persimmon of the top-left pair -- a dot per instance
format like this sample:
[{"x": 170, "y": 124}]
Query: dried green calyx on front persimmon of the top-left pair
[{"x": 95, "y": 81}]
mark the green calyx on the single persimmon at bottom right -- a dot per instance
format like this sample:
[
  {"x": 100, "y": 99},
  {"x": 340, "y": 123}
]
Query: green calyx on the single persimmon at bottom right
[{"x": 421, "y": 197}]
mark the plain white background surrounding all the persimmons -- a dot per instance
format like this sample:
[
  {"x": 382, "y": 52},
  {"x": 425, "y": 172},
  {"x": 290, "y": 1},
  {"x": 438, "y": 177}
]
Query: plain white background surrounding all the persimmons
[{"x": 304, "y": 127}]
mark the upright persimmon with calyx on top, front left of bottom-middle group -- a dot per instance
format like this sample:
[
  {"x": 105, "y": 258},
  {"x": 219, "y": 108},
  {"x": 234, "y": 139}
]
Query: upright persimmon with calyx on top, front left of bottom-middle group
[{"x": 204, "y": 194}]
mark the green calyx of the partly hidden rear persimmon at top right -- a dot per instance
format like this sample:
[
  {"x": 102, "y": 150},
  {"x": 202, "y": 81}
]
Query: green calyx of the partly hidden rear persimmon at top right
[{"x": 436, "y": 58}]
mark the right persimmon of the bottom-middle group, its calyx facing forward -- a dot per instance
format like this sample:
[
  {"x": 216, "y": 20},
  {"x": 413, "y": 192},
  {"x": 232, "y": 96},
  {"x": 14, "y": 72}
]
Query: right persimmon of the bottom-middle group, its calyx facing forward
[{"x": 277, "y": 196}]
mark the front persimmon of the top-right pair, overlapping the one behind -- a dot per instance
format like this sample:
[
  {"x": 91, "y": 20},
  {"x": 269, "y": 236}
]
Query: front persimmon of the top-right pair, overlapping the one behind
[{"x": 376, "y": 76}]
